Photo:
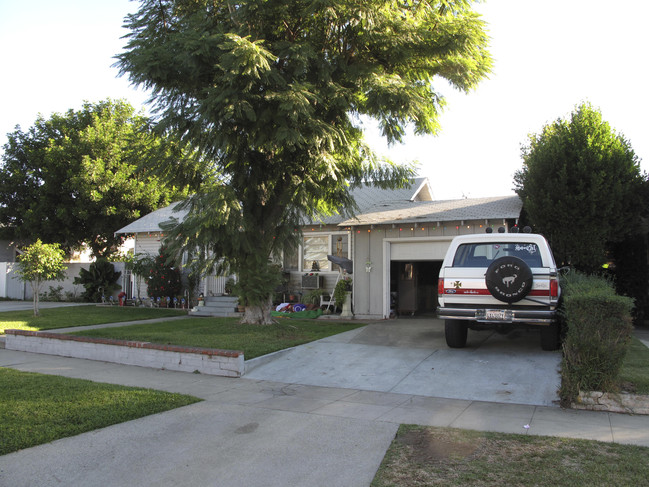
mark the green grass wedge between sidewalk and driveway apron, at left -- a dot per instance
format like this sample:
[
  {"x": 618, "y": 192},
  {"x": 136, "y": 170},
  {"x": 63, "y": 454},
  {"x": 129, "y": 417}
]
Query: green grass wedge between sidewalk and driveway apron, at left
[{"x": 36, "y": 408}]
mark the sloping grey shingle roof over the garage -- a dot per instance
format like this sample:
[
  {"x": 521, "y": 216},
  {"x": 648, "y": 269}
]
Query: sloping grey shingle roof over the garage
[{"x": 440, "y": 211}]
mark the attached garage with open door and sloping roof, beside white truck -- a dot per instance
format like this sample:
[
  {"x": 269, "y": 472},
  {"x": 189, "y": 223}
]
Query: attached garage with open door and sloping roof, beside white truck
[{"x": 398, "y": 248}]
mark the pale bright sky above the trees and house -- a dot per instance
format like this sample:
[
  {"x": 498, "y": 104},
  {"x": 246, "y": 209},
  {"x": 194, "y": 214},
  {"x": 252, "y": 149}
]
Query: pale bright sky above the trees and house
[{"x": 549, "y": 57}]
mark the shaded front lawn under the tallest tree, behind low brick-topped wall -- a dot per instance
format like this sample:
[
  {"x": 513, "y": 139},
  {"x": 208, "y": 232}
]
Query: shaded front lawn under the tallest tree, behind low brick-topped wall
[{"x": 227, "y": 333}]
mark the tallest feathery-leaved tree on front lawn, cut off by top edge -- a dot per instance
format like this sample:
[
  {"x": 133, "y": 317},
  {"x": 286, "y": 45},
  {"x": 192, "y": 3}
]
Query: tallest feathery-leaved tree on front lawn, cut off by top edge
[{"x": 272, "y": 93}]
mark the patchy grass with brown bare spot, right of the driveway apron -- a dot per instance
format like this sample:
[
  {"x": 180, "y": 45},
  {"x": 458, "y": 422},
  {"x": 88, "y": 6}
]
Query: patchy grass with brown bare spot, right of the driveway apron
[{"x": 426, "y": 456}]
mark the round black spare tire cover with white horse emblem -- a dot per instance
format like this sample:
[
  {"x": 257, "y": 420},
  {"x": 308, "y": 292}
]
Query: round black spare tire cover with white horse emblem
[{"x": 509, "y": 279}]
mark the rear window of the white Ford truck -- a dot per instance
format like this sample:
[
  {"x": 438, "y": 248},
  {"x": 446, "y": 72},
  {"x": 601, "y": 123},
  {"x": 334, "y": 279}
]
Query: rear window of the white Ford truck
[{"x": 483, "y": 254}]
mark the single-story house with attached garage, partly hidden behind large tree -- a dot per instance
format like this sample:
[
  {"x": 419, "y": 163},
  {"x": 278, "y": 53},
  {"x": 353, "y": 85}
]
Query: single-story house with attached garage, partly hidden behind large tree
[{"x": 396, "y": 241}]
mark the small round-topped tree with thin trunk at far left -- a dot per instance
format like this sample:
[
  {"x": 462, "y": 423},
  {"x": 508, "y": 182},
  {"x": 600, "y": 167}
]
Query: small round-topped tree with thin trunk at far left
[{"x": 39, "y": 263}]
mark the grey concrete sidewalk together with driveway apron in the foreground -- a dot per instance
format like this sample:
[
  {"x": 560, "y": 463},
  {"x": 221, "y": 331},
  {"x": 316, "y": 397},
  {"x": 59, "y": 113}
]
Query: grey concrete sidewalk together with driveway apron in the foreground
[{"x": 267, "y": 433}]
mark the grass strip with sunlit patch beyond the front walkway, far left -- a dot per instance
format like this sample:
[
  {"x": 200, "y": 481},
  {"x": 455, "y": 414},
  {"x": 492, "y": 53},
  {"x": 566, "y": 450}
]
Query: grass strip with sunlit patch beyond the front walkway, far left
[{"x": 51, "y": 318}]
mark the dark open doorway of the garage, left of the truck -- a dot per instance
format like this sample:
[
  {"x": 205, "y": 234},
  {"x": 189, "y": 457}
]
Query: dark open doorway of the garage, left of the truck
[{"x": 413, "y": 286}]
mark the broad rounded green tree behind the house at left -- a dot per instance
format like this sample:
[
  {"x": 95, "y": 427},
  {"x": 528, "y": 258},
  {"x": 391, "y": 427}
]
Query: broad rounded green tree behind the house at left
[{"x": 76, "y": 177}]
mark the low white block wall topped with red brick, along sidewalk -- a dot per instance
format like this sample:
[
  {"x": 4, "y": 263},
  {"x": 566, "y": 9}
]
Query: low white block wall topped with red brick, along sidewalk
[{"x": 225, "y": 363}]
